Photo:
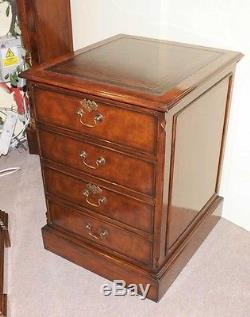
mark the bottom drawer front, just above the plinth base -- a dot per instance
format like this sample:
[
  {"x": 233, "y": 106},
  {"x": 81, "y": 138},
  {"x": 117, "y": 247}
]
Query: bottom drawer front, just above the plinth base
[{"x": 102, "y": 233}]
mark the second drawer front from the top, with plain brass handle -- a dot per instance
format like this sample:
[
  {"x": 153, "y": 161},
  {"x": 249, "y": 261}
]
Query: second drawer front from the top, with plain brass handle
[{"x": 102, "y": 162}]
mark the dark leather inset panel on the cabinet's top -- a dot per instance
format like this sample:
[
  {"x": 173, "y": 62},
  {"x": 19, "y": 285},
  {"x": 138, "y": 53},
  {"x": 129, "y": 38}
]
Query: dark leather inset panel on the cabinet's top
[{"x": 150, "y": 66}]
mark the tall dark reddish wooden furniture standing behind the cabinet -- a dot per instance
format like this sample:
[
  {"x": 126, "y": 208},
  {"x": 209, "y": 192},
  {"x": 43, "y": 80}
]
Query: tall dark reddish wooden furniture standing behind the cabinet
[{"x": 46, "y": 33}]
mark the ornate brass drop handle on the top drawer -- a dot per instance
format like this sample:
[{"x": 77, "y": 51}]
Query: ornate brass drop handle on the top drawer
[{"x": 89, "y": 106}]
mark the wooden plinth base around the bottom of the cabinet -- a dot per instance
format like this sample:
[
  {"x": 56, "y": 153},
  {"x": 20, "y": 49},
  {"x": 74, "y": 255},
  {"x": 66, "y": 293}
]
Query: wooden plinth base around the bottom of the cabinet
[{"x": 116, "y": 269}]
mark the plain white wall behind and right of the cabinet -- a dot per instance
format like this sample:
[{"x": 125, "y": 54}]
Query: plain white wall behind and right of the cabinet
[{"x": 218, "y": 23}]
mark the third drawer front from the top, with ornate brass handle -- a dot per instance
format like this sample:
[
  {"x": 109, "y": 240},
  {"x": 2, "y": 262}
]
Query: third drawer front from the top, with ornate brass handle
[{"x": 106, "y": 202}]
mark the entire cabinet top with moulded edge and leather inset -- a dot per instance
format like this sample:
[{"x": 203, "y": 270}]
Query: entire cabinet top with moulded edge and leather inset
[{"x": 133, "y": 69}]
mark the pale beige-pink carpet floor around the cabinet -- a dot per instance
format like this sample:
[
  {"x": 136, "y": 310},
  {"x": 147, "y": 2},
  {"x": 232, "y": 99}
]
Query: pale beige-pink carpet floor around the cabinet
[{"x": 215, "y": 283}]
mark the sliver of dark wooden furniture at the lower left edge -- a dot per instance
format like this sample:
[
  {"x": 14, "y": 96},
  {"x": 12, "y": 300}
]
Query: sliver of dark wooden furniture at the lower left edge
[{"x": 4, "y": 243}]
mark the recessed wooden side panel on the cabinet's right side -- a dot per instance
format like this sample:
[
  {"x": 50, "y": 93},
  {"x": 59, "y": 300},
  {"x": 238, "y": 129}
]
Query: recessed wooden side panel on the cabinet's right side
[{"x": 197, "y": 134}]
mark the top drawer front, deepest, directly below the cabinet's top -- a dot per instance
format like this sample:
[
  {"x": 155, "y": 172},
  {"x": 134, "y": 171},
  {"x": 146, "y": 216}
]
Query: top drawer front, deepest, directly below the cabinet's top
[{"x": 122, "y": 126}]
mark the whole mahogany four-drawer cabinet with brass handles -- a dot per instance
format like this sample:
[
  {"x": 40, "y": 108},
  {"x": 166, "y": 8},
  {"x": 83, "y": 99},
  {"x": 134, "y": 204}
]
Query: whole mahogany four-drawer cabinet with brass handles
[{"x": 131, "y": 133}]
